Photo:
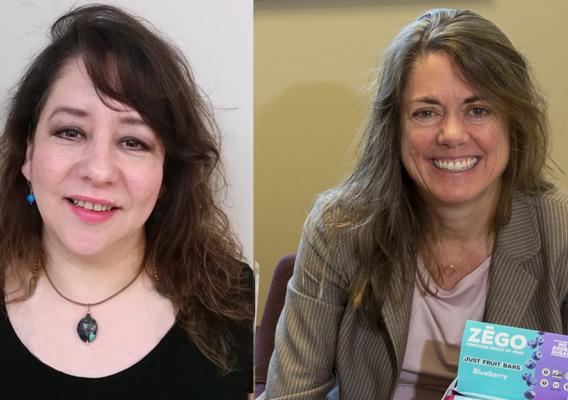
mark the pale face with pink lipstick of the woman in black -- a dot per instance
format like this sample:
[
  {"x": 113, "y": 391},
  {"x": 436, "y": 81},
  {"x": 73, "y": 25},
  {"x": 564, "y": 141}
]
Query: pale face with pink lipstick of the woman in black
[{"x": 96, "y": 172}]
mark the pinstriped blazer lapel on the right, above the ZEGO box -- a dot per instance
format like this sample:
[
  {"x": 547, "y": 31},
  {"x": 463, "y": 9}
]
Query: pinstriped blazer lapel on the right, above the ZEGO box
[{"x": 511, "y": 282}]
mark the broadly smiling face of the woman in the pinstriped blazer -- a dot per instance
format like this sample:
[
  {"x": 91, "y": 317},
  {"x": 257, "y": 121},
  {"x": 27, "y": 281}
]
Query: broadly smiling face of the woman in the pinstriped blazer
[{"x": 454, "y": 146}]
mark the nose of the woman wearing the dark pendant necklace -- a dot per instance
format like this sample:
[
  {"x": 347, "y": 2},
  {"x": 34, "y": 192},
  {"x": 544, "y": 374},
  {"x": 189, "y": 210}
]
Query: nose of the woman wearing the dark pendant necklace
[{"x": 98, "y": 163}]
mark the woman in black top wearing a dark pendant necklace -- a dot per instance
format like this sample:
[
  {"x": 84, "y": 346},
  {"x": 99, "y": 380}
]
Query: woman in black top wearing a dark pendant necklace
[{"x": 121, "y": 275}]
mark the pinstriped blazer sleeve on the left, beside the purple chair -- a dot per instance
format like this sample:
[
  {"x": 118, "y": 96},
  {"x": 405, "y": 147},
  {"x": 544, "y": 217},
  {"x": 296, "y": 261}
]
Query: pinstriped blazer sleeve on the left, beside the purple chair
[{"x": 302, "y": 364}]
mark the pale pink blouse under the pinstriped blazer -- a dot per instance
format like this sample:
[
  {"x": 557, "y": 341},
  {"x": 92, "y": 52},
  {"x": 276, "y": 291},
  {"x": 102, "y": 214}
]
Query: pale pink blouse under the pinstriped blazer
[{"x": 435, "y": 333}]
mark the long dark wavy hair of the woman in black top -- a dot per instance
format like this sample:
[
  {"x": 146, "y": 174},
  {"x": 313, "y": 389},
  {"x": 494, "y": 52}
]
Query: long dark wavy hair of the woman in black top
[{"x": 188, "y": 237}]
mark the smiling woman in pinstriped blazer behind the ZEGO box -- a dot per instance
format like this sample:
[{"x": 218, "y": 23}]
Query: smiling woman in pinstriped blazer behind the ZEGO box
[{"x": 446, "y": 217}]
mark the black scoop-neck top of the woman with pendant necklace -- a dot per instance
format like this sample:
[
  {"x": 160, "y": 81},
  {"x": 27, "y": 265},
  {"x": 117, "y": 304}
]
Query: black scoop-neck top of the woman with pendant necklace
[{"x": 174, "y": 369}]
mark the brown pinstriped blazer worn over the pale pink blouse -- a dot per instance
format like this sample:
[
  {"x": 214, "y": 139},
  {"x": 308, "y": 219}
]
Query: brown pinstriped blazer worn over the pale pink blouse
[{"x": 319, "y": 342}]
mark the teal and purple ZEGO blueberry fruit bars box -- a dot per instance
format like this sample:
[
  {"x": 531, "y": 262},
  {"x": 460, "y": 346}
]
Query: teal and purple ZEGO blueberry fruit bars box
[{"x": 503, "y": 362}]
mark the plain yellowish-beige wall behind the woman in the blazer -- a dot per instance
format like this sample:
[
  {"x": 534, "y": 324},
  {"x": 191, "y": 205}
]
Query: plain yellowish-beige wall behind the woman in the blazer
[{"x": 313, "y": 59}]
